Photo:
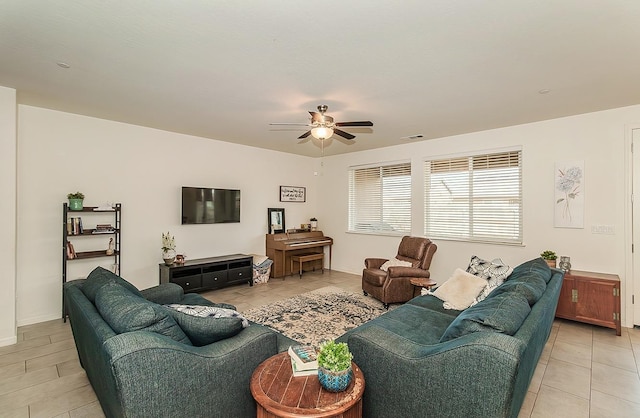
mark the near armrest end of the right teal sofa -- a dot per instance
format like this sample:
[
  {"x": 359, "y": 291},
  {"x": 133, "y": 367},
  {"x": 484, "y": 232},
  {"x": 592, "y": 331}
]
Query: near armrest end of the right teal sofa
[{"x": 470, "y": 376}]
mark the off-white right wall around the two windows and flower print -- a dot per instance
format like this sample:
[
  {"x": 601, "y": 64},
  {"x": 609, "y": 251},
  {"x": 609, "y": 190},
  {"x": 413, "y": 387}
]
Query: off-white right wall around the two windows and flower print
[{"x": 597, "y": 138}]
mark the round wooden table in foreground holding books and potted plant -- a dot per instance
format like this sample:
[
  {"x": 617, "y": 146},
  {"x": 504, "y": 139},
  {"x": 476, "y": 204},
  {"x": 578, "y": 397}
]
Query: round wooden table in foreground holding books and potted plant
[{"x": 279, "y": 394}]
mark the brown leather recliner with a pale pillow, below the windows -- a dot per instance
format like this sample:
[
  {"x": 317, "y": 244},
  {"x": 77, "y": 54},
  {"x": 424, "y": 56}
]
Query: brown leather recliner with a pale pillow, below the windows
[{"x": 393, "y": 285}]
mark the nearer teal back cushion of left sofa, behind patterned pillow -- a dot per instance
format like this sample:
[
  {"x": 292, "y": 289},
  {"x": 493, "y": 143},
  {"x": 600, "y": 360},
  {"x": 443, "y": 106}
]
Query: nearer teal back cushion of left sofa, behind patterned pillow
[{"x": 127, "y": 312}]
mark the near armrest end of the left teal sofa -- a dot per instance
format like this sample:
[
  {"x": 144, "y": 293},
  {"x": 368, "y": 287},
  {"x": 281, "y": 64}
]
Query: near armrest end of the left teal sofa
[{"x": 155, "y": 374}]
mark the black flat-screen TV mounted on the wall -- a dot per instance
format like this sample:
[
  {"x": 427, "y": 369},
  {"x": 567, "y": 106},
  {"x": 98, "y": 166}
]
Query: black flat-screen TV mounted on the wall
[{"x": 210, "y": 206}]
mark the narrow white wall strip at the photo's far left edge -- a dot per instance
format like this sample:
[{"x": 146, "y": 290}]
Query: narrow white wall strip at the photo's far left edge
[{"x": 8, "y": 215}]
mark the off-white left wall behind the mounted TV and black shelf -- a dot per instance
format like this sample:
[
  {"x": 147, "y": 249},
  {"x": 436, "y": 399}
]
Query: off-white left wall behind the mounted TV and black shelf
[{"x": 143, "y": 169}]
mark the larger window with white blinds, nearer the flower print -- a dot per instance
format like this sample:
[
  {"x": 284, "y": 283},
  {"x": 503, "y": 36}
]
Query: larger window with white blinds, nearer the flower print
[{"x": 475, "y": 198}]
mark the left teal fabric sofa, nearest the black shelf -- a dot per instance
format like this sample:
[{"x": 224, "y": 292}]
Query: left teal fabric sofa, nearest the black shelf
[{"x": 141, "y": 363}]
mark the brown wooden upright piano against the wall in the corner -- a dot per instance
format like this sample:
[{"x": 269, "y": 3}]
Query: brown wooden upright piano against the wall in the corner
[{"x": 280, "y": 248}]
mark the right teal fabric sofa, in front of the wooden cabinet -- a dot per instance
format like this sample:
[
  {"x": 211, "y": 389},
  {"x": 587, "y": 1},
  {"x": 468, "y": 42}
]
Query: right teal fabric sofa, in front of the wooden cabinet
[{"x": 423, "y": 360}]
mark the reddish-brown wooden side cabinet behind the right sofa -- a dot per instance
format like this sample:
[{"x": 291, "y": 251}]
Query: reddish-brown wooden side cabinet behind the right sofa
[{"x": 593, "y": 298}]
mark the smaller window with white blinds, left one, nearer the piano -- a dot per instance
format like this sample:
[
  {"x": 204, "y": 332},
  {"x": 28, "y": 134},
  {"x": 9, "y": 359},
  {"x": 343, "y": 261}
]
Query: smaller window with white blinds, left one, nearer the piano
[{"x": 380, "y": 199}]
